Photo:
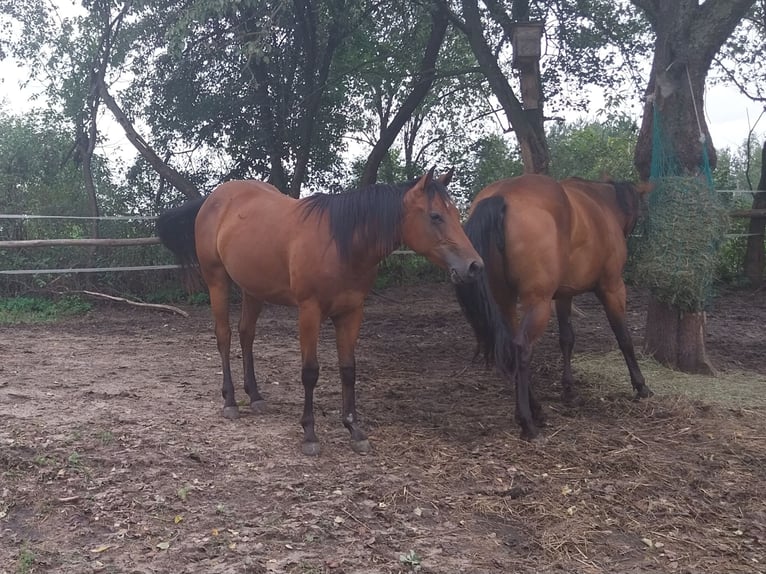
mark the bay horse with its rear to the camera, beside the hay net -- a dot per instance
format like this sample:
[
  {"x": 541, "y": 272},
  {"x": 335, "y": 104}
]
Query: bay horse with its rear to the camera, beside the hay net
[{"x": 544, "y": 241}]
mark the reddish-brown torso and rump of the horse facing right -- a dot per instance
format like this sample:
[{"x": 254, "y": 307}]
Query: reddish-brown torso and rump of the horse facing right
[{"x": 273, "y": 250}]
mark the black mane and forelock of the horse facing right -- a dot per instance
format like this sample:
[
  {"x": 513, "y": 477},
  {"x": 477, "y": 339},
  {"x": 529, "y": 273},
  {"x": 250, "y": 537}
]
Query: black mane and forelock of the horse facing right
[{"x": 370, "y": 216}]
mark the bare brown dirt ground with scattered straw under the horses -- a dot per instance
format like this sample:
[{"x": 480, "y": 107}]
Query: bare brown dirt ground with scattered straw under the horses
[{"x": 114, "y": 456}]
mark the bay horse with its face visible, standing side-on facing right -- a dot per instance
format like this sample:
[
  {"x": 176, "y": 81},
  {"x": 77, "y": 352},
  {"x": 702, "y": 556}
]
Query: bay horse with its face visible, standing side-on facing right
[{"x": 319, "y": 254}]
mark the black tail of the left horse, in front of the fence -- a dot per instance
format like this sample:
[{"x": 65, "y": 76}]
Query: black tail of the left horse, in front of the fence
[{"x": 175, "y": 228}]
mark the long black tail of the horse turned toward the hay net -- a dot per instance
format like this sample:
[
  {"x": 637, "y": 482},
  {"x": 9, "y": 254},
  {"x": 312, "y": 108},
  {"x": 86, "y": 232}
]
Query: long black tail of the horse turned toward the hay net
[{"x": 485, "y": 228}]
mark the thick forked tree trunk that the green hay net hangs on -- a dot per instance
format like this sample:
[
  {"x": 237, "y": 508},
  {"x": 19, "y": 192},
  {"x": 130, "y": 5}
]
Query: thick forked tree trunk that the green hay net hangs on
[{"x": 687, "y": 37}]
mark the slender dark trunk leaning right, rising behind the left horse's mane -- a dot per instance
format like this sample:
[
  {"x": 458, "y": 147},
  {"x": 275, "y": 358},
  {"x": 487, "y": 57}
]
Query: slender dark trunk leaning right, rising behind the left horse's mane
[{"x": 420, "y": 89}]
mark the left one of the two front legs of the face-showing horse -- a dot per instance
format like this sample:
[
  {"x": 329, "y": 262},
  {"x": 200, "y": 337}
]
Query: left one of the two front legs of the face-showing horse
[{"x": 309, "y": 321}]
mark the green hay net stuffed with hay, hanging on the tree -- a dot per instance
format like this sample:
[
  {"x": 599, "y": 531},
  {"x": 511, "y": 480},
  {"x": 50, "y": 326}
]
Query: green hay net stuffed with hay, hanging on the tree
[{"x": 674, "y": 247}]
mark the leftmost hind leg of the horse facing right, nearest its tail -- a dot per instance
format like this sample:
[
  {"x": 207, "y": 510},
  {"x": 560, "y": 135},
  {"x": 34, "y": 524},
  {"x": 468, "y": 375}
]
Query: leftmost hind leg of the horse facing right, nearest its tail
[{"x": 218, "y": 283}]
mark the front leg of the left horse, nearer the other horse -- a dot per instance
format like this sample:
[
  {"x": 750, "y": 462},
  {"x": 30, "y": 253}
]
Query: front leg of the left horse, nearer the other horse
[{"x": 346, "y": 333}]
